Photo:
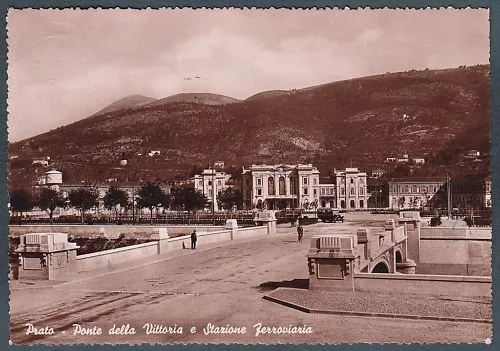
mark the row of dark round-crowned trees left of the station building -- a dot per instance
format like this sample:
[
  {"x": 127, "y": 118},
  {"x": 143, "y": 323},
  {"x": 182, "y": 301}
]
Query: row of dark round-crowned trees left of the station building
[{"x": 149, "y": 196}]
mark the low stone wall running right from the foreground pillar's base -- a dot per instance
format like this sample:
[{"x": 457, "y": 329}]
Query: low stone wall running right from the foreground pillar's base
[{"x": 423, "y": 284}]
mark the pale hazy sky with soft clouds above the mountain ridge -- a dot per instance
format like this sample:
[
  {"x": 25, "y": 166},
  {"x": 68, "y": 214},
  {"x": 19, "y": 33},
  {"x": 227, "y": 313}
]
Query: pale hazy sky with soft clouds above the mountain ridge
[{"x": 64, "y": 65}]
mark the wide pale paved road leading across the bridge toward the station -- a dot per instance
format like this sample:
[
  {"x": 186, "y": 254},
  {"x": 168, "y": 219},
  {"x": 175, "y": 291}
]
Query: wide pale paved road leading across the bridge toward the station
[{"x": 222, "y": 286}]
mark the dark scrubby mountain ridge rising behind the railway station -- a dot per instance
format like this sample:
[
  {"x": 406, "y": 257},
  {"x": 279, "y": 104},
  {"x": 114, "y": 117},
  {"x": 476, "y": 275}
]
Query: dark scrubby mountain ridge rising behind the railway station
[{"x": 362, "y": 120}]
